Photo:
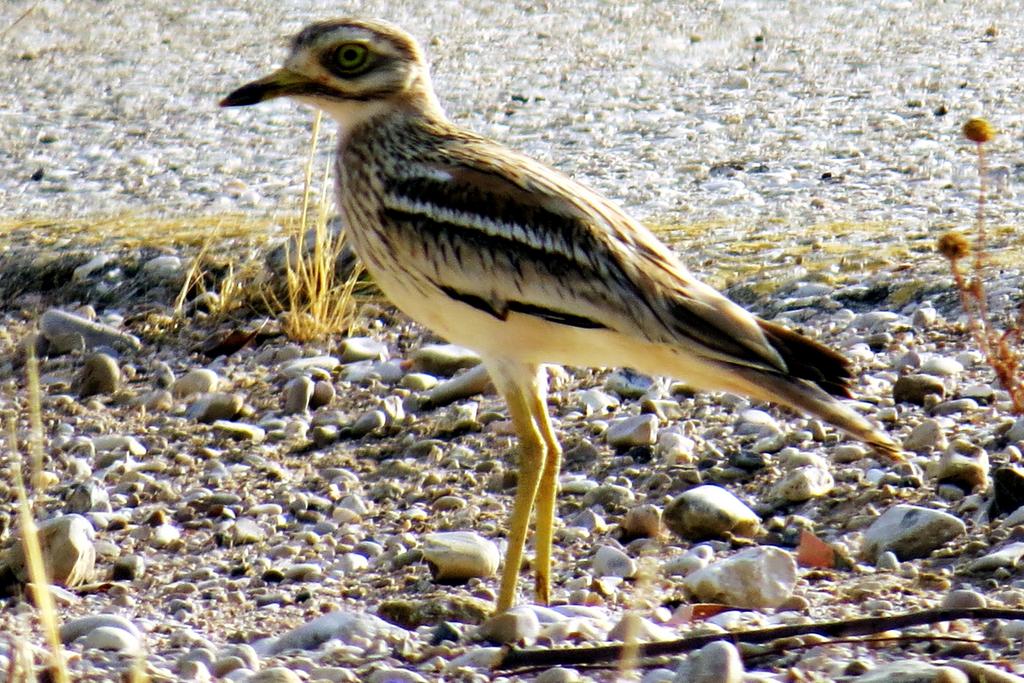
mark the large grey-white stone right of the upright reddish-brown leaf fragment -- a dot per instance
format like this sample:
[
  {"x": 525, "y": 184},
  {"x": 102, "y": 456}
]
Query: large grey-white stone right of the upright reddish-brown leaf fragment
[{"x": 910, "y": 532}]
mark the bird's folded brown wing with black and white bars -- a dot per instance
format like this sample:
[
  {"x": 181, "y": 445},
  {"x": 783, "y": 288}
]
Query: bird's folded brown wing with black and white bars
[{"x": 505, "y": 234}]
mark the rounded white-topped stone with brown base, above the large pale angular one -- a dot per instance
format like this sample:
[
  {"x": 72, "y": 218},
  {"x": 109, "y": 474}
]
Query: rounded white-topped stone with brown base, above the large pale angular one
[{"x": 710, "y": 513}]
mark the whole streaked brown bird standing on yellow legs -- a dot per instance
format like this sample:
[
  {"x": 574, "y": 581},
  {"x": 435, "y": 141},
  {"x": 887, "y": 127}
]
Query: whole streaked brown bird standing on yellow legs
[{"x": 507, "y": 257}]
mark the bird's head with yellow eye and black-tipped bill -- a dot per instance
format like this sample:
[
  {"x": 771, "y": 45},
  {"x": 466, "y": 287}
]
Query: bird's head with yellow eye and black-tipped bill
[{"x": 352, "y": 69}]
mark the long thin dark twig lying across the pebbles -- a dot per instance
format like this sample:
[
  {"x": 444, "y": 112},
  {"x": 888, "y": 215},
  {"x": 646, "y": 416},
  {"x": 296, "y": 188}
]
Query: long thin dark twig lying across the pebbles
[{"x": 516, "y": 659}]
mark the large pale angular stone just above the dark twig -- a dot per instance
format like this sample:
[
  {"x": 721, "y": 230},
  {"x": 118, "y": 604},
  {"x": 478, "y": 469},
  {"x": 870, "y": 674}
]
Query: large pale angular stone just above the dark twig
[{"x": 755, "y": 579}]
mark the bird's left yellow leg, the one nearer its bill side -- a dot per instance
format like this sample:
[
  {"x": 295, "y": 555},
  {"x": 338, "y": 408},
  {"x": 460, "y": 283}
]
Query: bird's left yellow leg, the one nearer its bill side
[{"x": 532, "y": 463}]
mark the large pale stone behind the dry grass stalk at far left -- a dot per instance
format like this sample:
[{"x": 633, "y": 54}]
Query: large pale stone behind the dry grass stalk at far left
[{"x": 68, "y": 544}]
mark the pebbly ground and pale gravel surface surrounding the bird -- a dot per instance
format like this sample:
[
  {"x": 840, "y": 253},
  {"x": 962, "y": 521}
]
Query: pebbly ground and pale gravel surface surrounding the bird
[{"x": 285, "y": 511}]
